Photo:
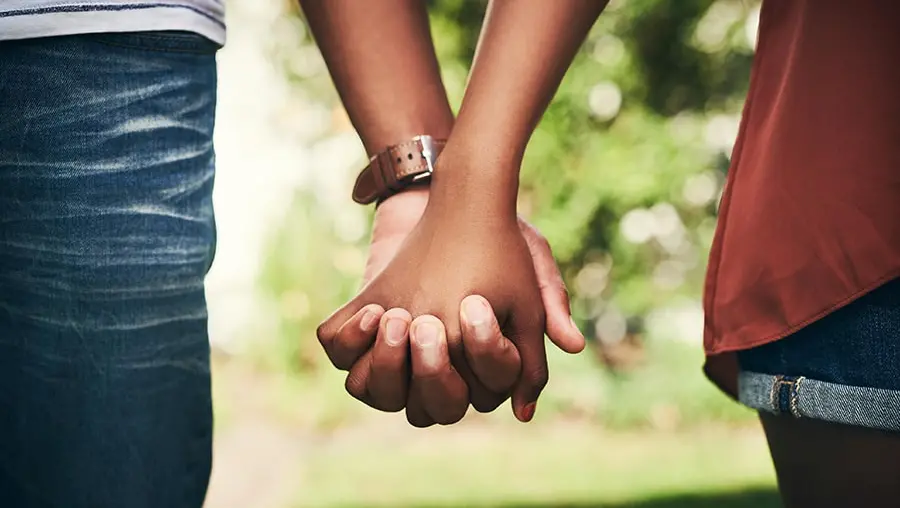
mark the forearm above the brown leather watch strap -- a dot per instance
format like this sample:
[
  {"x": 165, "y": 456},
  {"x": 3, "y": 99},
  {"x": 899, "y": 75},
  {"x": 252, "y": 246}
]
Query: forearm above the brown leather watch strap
[{"x": 381, "y": 57}]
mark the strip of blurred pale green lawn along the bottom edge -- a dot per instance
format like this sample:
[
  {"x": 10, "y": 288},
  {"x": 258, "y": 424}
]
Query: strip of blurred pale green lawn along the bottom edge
[{"x": 549, "y": 463}]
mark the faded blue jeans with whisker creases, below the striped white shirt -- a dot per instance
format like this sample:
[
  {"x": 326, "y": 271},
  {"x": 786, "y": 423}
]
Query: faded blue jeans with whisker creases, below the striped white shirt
[{"x": 106, "y": 234}]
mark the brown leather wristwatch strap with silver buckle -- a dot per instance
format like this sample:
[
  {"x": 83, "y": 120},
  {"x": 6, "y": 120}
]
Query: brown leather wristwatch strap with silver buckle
[{"x": 396, "y": 168}]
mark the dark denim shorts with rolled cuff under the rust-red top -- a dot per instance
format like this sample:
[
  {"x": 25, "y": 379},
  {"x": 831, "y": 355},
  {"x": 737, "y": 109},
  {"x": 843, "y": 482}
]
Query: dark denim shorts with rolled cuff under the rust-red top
[{"x": 844, "y": 368}]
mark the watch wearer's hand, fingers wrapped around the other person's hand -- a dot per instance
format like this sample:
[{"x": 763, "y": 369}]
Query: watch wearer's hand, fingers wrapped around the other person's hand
[{"x": 475, "y": 362}]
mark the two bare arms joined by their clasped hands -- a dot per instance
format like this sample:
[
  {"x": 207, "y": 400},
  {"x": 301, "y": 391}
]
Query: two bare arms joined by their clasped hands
[{"x": 458, "y": 290}]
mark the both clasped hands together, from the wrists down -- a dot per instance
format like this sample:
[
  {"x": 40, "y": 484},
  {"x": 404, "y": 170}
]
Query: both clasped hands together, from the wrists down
[{"x": 453, "y": 312}]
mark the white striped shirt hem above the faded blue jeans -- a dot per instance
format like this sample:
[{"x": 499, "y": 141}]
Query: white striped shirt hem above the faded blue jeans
[{"x": 27, "y": 19}]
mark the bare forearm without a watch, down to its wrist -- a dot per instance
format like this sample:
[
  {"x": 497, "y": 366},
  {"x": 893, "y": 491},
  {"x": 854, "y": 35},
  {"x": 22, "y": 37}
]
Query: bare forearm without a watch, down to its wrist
[{"x": 525, "y": 48}]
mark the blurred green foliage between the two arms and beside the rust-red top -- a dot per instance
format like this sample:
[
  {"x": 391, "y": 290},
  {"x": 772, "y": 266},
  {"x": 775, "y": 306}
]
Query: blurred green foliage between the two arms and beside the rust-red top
[{"x": 590, "y": 162}]
